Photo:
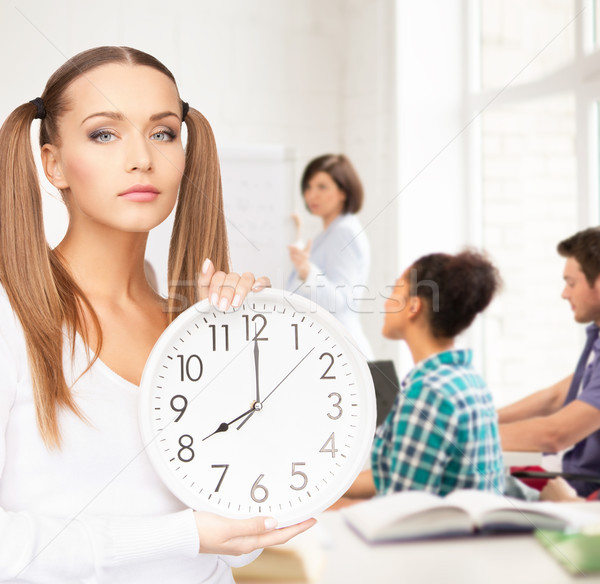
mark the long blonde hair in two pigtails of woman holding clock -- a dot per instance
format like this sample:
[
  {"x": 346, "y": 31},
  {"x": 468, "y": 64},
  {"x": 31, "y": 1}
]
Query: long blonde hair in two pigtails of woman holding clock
[{"x": 41, "y": 290}]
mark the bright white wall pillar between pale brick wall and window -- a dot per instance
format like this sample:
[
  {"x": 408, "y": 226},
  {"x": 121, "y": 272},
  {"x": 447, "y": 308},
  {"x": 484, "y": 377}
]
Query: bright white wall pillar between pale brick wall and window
[{"x": 431, "y": 201}]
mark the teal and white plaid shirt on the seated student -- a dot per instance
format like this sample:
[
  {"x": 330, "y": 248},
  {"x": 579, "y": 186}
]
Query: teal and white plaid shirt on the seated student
[{"x": 442, "y": 433}]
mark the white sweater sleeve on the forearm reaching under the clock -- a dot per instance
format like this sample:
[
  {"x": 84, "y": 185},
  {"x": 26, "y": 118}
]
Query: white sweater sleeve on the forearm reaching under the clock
[{"x": 56, "y": 549}]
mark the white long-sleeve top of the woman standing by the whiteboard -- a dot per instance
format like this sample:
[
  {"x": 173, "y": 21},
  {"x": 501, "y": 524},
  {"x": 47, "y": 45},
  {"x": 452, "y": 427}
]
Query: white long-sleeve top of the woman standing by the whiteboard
[{"x": 339, "y": 268}]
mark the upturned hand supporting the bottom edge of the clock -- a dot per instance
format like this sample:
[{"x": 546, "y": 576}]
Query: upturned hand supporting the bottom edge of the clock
[{"x": 234, "y": 537}]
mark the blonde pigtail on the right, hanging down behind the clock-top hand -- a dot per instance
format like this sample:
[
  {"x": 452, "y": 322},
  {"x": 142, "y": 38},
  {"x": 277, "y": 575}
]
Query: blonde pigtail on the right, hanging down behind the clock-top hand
[{"x": 199, "y": 229}]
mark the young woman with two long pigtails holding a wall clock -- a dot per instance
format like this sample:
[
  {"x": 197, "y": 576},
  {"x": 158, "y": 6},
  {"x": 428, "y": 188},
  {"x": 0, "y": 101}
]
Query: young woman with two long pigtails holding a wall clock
[{"x": 79, "y": 500}]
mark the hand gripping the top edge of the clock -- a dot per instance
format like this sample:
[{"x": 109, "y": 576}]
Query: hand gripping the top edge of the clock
[{"x": 225, "y": 290}]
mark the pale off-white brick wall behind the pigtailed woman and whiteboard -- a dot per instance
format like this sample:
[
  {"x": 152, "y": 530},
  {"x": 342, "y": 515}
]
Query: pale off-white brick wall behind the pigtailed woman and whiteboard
[{"x": 309, "y": 75}]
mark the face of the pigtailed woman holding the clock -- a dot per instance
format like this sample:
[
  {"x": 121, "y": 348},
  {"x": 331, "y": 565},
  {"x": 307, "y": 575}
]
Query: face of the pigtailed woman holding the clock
[{"x": 119, "y": 160}]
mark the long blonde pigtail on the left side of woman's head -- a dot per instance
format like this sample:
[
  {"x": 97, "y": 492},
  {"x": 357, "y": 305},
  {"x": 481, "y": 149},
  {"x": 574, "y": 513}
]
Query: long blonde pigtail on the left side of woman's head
[{"x": 27, "y": 273}]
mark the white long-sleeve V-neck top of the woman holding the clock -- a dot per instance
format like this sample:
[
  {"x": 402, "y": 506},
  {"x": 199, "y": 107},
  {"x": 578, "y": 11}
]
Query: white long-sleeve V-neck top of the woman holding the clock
[{"x": 93, "y": 511}]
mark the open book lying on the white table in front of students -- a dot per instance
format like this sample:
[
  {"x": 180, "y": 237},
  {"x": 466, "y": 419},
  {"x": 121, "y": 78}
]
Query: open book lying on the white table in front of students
[{"x": 416, "y": 514}]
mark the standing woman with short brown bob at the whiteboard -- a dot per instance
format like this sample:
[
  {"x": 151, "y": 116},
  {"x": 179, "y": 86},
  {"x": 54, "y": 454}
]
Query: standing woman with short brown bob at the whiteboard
[{"x": 334, "y": 269}]
